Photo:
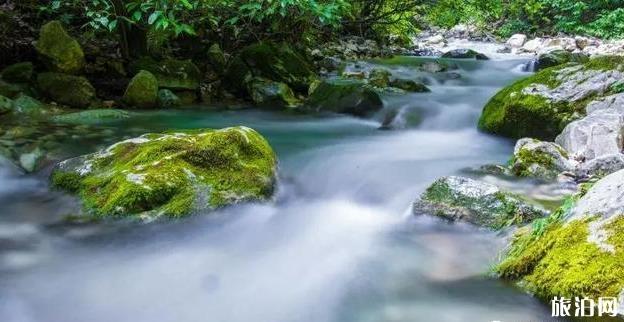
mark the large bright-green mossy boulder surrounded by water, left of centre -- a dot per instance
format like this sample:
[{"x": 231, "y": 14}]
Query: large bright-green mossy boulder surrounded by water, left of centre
[{"x": 173, "y": 174}]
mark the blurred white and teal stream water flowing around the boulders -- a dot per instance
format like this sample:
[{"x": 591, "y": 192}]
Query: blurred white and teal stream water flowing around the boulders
[{"x": 338, "y": 243}]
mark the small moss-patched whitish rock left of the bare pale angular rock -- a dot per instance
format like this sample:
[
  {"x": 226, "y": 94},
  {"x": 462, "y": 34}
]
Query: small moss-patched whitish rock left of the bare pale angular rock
[{"x": 535, "y": 158}]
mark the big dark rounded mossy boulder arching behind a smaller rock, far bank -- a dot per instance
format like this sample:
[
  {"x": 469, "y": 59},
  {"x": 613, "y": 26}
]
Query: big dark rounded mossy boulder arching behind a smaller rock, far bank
[{"x": 275, "y": 62}]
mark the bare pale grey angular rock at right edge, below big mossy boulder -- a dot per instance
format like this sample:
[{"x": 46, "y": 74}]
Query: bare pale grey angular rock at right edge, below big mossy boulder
[{"x": 595, "y": 135}]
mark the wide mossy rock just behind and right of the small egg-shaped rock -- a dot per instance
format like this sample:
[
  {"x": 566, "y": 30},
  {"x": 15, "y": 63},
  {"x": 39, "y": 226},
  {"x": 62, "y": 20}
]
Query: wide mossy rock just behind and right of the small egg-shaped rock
[{"x": 171, "y": 73}]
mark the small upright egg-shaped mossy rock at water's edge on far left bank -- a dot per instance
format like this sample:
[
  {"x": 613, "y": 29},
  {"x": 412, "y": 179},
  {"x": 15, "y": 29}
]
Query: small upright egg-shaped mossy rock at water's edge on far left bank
[{"x": 142, "y": 91}]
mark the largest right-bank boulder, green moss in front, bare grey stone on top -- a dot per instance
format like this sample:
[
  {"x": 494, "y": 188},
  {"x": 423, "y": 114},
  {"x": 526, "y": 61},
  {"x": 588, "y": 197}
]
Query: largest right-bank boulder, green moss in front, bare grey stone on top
[{"x": 540, "y": 106}]
